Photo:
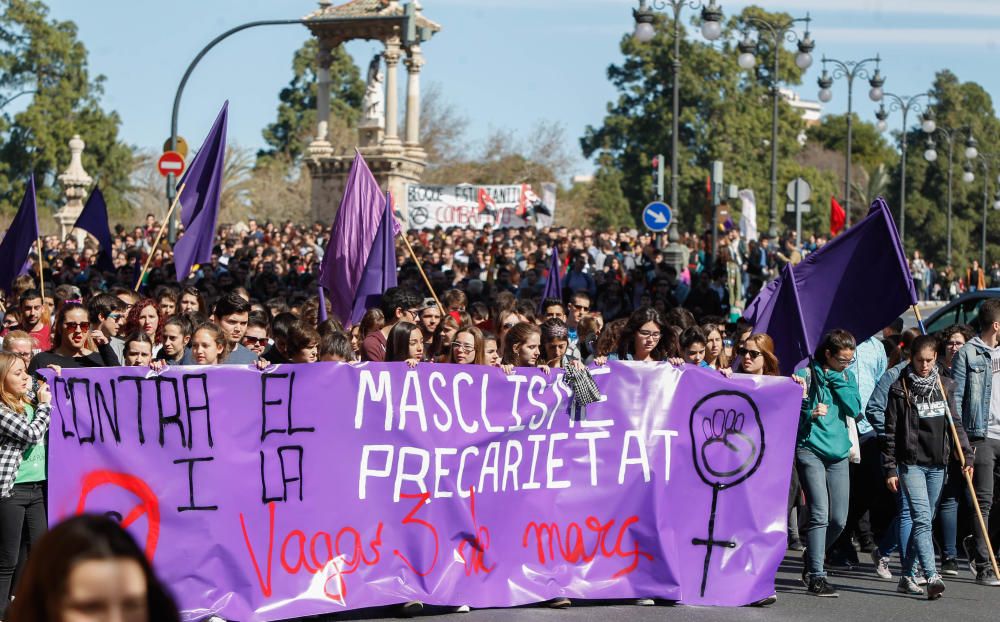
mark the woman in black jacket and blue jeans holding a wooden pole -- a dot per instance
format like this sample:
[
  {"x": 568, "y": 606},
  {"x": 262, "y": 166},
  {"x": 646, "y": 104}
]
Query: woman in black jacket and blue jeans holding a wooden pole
[{"x": 915, "y": 453}]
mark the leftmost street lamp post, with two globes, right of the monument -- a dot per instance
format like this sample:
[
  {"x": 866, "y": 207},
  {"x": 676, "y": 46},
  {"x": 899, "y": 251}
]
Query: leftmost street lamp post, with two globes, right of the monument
[{"x": 711, "y": 29}]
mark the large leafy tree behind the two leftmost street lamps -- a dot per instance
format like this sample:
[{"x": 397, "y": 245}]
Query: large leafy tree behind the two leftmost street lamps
[{"x": 725, "y": 114}]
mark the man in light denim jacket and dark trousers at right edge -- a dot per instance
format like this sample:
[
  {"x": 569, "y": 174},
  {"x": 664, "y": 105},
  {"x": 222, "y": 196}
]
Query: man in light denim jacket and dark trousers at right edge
[{"x": 976, "y": 369}]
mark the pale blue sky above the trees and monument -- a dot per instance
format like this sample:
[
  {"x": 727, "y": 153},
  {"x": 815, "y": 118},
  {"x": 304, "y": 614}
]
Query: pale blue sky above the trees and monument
[{"x": 502, "y": 63}]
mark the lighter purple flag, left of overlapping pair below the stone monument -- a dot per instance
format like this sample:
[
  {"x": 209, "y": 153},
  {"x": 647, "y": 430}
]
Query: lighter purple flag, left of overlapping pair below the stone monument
[{"x": 351, "y": 238}]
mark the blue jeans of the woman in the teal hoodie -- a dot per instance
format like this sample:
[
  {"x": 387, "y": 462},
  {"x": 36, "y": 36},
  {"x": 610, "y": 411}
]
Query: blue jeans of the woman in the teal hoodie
[{"x": 828, "y": 495}]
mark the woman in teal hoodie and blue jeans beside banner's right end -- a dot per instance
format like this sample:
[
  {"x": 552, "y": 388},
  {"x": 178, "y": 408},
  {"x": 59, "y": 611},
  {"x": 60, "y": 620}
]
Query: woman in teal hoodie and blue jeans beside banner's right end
[{"x": 822, "y": 450}]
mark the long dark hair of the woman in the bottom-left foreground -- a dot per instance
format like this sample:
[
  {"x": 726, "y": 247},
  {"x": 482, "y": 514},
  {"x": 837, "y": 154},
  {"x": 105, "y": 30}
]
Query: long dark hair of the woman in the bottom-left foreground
[{"x": 42, "y": 589}]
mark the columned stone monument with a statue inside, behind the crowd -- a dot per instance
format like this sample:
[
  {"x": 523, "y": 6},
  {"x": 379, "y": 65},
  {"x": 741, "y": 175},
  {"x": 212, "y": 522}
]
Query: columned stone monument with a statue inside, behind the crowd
[{"x": 394, "y": 160}]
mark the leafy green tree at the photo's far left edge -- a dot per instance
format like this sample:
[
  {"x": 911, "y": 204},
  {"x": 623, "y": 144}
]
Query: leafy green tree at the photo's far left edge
[{"x": 42, "y": 57}]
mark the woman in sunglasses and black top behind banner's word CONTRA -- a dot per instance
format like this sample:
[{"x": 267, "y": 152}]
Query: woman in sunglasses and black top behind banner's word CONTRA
[{"x": 72, "y": 345}]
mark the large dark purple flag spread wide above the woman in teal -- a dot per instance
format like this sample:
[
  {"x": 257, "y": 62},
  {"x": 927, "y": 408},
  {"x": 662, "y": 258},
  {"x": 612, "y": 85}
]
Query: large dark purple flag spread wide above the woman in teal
[{"x": 859, "y": 281}]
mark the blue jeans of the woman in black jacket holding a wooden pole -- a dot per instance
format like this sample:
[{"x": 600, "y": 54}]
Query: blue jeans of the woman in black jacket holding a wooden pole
[{"x": 919, "y": 491}]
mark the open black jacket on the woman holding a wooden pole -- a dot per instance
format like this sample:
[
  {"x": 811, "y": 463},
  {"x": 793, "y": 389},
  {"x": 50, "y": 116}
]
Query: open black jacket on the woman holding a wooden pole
[{"x": 901, "y": 426}]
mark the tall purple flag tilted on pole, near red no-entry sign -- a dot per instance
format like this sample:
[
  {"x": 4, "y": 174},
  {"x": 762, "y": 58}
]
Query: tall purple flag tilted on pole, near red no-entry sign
[{"x": 199, "y": 201}]
